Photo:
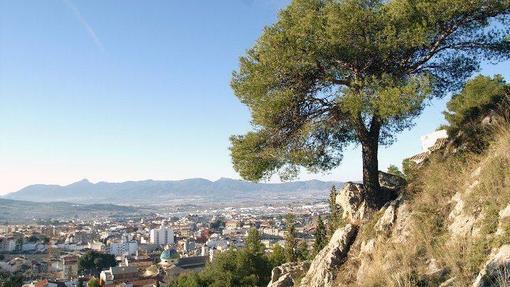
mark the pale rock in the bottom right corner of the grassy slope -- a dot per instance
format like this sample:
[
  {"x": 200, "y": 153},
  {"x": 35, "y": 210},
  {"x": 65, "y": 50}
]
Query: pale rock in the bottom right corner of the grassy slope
[{"x": 495, "y": 271}]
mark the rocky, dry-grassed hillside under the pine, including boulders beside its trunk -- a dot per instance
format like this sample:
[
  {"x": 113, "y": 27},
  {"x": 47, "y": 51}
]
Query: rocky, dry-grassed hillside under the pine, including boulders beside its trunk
[{"x": 449, "y": 226}]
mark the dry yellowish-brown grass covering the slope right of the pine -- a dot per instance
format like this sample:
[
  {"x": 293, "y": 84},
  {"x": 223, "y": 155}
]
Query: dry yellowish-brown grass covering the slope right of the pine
[{"x": 429, "y": 196}]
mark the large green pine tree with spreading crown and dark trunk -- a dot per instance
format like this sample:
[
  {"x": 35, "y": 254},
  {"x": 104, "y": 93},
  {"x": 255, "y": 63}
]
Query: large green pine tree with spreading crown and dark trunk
[{"x": 333, "y": 72}]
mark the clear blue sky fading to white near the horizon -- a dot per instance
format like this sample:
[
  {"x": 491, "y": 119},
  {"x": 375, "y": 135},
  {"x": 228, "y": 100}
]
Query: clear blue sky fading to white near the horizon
[{"x": 128, "y": 90}]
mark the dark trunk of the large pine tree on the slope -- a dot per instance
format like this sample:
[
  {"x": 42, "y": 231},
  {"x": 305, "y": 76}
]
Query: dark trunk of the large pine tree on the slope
[{"x": 371, "y": 172}]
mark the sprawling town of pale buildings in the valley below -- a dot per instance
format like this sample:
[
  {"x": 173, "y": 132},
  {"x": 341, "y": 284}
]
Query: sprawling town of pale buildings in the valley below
[{"x": 146, "y": 251}]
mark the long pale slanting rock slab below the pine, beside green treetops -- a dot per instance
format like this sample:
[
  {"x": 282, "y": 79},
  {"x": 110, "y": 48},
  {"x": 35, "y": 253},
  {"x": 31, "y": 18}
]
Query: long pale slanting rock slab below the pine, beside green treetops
[{"x": 323, "y": 267}]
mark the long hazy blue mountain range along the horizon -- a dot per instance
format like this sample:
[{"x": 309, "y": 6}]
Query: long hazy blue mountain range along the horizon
[{"x": 194, "y": 190}]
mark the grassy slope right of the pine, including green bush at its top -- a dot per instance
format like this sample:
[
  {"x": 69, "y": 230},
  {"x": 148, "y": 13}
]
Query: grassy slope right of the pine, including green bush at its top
[{"x": 453, "y": 218}]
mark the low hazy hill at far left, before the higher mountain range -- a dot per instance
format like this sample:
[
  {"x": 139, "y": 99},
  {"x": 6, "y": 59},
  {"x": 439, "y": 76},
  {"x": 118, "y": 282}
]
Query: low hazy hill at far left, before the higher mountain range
[{"x": 18, "y": 211}]
